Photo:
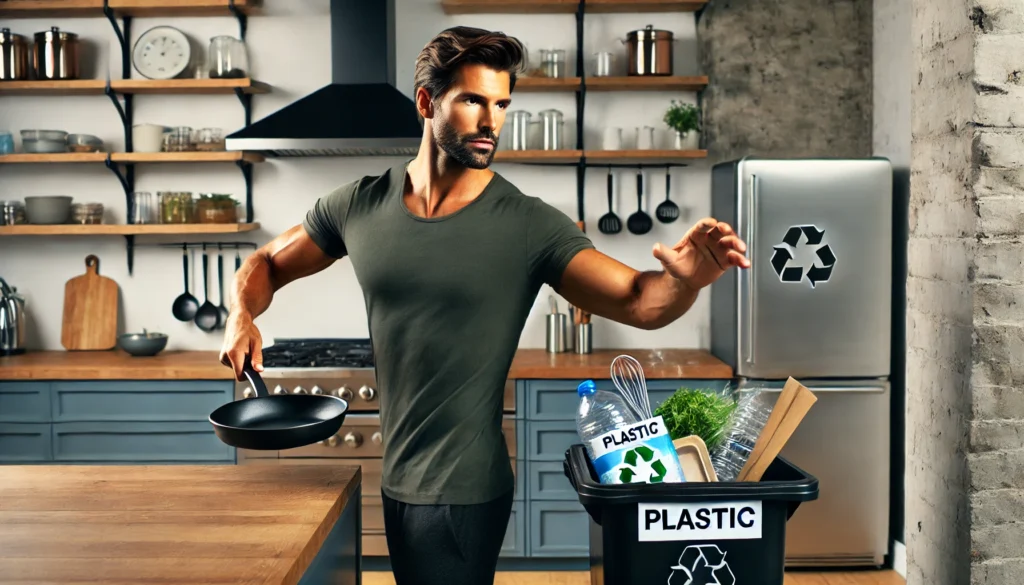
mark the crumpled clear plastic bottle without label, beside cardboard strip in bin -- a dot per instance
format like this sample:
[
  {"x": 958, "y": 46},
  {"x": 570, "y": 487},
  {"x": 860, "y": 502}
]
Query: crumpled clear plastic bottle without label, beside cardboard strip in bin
[{"x": 753, "y": 411}]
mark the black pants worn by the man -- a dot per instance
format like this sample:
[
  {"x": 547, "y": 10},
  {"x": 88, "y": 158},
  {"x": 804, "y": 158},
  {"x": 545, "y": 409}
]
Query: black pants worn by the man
[{"x": 446, "y": 545}]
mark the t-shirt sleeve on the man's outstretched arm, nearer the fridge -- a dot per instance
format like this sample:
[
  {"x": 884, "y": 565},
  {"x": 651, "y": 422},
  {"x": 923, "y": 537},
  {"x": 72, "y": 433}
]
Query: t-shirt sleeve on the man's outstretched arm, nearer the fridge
[{"x": 552, "y": 241}]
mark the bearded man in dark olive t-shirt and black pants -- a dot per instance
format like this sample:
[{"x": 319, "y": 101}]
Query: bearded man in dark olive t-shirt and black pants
[{"x": 451, "y": 258}]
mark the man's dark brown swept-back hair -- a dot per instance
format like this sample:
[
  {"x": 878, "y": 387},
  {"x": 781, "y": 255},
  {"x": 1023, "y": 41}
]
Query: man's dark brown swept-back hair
[{"x": 441, "y": 59}]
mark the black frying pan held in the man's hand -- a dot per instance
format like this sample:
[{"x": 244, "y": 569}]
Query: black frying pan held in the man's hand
[{"x": 271, "y": 423}]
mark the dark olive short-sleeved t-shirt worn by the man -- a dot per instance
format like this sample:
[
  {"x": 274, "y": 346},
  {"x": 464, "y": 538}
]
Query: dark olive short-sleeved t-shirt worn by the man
[{"x": 447, "y": 300}]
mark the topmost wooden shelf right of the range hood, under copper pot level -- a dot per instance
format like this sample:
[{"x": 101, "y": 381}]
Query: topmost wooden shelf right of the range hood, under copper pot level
[{"x": 568, "y": 7}]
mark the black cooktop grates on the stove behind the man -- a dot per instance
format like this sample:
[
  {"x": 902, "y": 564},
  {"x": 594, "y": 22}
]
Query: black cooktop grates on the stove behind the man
[{"x": 319, "y": 354}]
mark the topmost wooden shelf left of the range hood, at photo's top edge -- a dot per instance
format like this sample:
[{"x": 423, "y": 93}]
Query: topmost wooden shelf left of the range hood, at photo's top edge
[{"x": 138, "y": 9}]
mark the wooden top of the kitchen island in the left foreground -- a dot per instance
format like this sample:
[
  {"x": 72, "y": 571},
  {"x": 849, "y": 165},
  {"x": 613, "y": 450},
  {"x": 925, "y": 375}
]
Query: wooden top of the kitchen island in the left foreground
[{"x": 173, "y": 524}]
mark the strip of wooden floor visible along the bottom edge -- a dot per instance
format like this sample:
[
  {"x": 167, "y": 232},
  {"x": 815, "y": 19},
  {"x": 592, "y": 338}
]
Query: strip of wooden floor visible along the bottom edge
[{"x": 574, "y": 578}]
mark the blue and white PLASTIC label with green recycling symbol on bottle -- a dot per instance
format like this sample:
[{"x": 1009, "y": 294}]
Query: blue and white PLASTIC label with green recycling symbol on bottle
[{"x": 641, "y": 453}]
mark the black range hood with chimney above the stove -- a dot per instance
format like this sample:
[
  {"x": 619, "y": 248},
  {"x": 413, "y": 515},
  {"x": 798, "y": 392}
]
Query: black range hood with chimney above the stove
[{"x": 362, "y": 112}]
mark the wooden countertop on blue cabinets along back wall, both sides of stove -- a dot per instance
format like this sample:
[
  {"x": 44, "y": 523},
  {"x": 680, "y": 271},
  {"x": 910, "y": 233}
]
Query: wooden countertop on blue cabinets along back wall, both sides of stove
[{"x": 173, "y": 365}]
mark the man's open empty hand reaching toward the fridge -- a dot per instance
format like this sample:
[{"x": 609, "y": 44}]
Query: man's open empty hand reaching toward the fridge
[{"x": 704, "y": 255}]
